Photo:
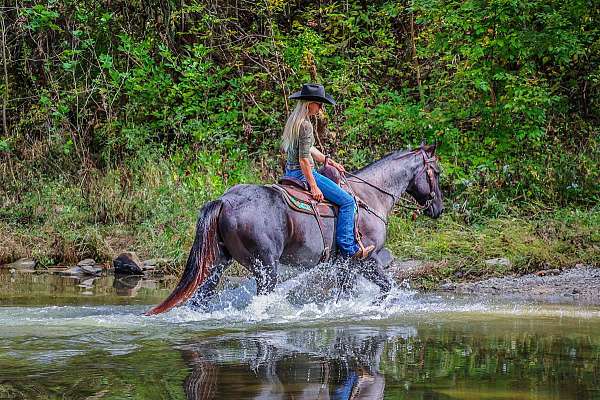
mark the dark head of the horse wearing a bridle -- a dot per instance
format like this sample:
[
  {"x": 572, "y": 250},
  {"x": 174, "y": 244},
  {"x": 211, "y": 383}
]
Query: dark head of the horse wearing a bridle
[{"x": 424, "y": 186}]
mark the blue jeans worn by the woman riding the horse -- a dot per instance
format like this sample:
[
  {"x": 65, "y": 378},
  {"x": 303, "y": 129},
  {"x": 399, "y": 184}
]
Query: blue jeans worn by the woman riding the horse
[{"x": 344, "y": 229}]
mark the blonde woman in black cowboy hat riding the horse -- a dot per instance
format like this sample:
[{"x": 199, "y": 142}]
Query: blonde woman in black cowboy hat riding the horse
[{"x": 298, "y": 142}]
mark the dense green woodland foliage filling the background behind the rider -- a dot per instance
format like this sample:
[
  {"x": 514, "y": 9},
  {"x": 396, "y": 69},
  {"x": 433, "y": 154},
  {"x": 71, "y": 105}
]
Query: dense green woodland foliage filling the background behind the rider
[{"x": 101, "y": 92}]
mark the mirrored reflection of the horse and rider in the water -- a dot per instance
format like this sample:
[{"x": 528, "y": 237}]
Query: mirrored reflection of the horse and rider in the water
[{"x": 333, "y": 363}]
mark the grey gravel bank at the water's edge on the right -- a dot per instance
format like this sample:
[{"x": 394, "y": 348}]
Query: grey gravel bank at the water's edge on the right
[{"x": 578, "y": 285}]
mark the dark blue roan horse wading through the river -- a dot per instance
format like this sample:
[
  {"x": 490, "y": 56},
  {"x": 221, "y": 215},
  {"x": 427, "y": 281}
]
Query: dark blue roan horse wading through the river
[{"x": 253, "y": 225}]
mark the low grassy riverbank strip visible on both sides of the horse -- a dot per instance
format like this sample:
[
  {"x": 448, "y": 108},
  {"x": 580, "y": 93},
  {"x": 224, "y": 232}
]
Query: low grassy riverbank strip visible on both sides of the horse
[{"x": 430, "y": 253}]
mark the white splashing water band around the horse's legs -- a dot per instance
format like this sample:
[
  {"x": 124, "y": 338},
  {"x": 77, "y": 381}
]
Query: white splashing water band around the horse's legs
[{"x": 306, "y": 298}]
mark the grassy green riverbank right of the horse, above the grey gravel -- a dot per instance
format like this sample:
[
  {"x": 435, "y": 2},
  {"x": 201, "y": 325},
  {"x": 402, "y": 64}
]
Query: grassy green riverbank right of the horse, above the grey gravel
[{"x": 433, "y": 252}]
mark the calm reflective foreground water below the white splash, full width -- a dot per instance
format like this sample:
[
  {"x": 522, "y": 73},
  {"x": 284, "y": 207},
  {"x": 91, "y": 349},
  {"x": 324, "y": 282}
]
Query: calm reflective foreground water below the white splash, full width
[{"x": 470, "y": 357}]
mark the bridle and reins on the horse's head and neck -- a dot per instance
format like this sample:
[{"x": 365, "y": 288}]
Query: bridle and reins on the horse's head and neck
[{"x": 429, "y": 167}]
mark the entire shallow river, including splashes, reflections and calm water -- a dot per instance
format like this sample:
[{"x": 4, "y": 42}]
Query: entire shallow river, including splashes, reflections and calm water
[{"x": 66, "y": 338}]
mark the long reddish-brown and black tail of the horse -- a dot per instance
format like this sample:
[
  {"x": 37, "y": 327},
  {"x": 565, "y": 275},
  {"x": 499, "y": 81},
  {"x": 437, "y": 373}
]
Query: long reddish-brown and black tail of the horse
[{"x": 202, "y": 256}]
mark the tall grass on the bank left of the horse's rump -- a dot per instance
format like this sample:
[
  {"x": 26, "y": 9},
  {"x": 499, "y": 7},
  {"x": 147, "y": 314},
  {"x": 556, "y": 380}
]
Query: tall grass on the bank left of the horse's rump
[{"x": 149, "y": 207}]
